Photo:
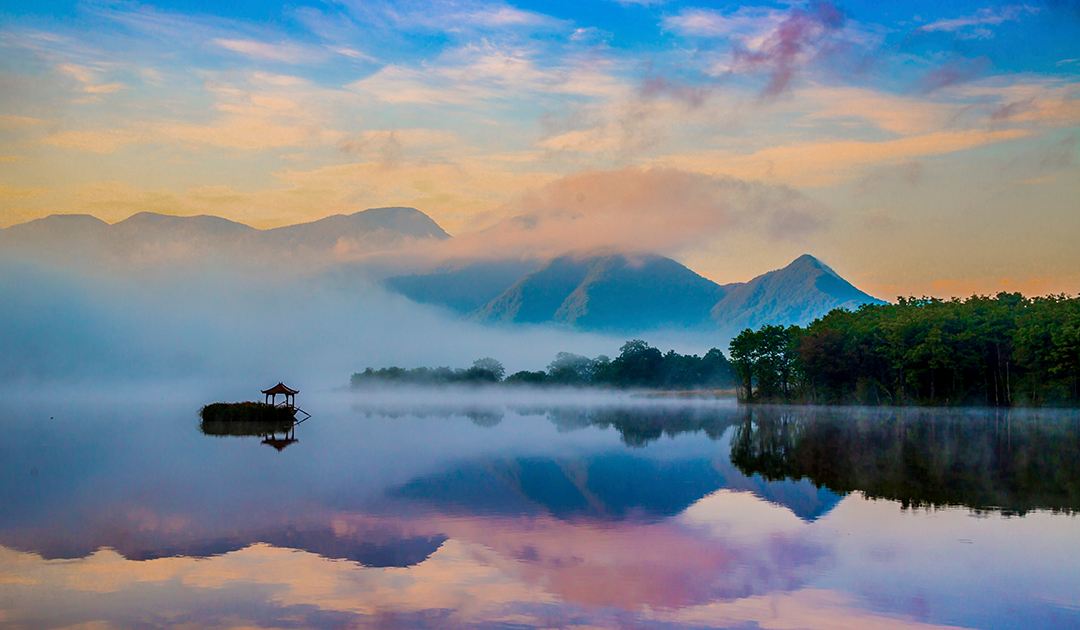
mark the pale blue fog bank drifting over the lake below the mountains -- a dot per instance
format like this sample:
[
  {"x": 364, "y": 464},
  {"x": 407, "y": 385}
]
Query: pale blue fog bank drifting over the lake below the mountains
[{"x": 74, "y": 327}]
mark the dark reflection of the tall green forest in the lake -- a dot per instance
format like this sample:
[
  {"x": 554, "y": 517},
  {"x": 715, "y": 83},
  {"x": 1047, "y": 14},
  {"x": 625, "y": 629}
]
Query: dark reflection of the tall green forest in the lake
[{"x": 1003, "y": 462}]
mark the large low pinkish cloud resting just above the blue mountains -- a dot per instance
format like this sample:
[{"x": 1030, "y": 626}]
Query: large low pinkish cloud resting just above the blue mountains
[{"x": 640, "y": 210}]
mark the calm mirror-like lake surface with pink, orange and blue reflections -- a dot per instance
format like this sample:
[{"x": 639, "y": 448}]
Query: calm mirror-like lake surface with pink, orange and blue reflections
[{"x": 443, "y": 512}]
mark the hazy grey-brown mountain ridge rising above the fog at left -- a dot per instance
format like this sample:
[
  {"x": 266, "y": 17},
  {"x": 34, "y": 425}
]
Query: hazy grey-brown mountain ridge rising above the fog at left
[{"x": 148, "y": 237}]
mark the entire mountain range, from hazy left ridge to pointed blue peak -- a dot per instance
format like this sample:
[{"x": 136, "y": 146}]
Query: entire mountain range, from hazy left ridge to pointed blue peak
[{"x": 603, "y": 292}]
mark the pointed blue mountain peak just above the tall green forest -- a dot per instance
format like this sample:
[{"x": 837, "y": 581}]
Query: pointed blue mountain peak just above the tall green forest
[{"x": 800, "y": 293}]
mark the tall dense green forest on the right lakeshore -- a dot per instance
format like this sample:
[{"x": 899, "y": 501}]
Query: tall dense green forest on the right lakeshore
[{"x": 1001, "y": 352}]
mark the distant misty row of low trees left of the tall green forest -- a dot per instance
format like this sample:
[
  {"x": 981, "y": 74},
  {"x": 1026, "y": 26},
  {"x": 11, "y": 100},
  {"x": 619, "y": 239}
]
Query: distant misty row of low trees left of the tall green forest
[{"x": 638, "y": 366}]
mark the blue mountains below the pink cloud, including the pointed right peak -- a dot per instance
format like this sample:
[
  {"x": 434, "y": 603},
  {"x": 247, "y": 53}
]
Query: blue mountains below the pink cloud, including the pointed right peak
[{"x": 632, "y": 294}]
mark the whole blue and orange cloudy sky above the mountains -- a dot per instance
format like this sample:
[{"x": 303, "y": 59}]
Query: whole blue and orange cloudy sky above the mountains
[{"x": 920, "y": 149}]
